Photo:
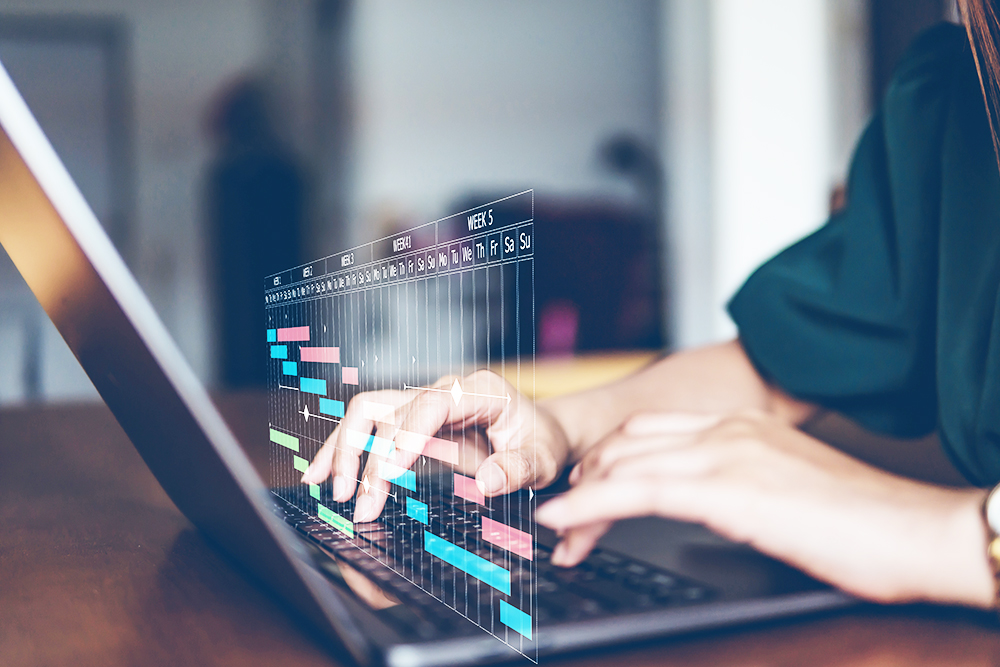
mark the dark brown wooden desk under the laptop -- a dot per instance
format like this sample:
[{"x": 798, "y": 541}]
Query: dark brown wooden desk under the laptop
[{"x": 97, "y": 567}]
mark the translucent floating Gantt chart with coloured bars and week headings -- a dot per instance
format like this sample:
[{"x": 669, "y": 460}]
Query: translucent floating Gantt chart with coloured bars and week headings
[{"x": 376, "y": 325}]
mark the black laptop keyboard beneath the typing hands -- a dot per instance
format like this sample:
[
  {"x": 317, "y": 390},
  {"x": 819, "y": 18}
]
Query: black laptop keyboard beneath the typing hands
[{"x": 605, "y": 583}]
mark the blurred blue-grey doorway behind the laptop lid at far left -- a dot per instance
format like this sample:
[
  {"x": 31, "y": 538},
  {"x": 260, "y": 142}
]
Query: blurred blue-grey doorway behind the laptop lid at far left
[{"x": 73, "y": 73}]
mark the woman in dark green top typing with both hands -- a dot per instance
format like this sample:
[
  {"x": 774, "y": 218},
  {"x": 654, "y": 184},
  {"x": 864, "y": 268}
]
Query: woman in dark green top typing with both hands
[{"x": 889, "y": 314}]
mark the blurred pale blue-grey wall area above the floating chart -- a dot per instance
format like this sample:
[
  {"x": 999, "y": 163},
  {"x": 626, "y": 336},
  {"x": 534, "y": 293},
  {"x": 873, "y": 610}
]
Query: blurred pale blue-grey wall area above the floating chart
[{"x": 456, "y": 95}]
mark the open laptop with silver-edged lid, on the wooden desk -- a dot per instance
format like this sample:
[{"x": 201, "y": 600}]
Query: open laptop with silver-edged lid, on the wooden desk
[{"x": 649, "y": 578}]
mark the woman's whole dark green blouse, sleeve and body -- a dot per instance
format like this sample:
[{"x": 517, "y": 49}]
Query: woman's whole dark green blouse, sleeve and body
[{"x": 889, "y": 313}]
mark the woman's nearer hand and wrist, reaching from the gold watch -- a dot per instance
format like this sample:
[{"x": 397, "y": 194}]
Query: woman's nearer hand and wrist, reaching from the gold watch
[{"x": 753, "y": 478}]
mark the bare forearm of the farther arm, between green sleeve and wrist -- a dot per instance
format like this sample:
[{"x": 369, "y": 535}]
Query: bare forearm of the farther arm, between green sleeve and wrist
[{"x": 718, "y": 378}]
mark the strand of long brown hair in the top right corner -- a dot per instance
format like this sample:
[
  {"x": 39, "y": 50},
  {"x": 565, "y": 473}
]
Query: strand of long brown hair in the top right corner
[{"x": 983, "y": 27}]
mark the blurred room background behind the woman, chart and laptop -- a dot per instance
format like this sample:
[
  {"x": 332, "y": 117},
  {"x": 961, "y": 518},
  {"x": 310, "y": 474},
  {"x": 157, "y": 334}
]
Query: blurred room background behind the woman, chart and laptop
[{"x": 672, "y": 145}]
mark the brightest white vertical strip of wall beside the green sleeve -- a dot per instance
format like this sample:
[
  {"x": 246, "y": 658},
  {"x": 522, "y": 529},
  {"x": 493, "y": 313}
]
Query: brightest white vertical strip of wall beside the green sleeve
[{"x": 772, "y": 133}]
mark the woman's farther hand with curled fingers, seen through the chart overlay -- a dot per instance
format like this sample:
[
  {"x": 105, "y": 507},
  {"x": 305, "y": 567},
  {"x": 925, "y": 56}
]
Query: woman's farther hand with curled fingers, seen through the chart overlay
[{"x": 529, "y": 447}]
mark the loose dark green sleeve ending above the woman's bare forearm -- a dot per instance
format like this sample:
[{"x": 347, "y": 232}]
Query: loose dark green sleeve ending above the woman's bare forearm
[{"x": 846, "y": 317}]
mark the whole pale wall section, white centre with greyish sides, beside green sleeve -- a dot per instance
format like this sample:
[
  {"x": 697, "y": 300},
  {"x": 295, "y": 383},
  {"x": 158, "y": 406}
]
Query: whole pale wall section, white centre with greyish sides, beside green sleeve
[{"x": 764, "y": 100}]
